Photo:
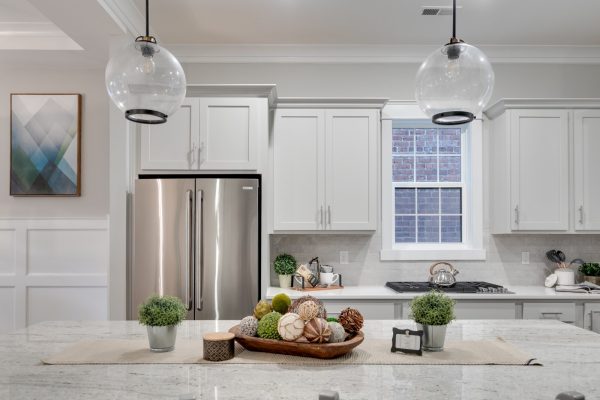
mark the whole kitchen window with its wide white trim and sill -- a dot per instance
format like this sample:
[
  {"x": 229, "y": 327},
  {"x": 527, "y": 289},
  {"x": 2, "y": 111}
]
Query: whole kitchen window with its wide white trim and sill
[{"x": 431, "y": 188}]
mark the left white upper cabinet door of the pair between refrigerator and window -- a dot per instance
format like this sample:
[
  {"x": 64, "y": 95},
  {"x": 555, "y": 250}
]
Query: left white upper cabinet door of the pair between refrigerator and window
[{"x": 298, "y": 145}]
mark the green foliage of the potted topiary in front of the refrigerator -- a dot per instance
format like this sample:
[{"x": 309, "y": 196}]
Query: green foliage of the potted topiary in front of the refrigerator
[{"x": 161, "y": 311}]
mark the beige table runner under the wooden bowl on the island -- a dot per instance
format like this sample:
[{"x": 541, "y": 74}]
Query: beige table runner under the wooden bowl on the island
[{"x": 370, "y": 352}]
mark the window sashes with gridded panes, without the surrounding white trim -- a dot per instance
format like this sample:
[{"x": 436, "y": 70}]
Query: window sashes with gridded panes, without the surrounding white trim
[{"x": 427, "y": 175}]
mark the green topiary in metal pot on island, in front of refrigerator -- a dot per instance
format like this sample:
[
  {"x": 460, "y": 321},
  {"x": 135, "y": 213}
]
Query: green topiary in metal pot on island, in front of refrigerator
[{"x": 161, "y": 315}]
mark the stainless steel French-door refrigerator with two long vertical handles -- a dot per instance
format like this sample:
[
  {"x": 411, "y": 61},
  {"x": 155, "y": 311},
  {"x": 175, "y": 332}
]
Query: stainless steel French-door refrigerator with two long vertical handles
[{"x": 199, "y": 240}]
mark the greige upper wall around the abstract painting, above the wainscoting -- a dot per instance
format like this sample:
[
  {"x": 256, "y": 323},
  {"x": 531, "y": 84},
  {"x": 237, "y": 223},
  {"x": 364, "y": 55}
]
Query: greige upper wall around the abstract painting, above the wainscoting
[{"x": 94, "y": 139}]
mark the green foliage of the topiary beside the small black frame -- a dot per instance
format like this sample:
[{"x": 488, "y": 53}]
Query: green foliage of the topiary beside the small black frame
[{"x": 433, "y": 308}]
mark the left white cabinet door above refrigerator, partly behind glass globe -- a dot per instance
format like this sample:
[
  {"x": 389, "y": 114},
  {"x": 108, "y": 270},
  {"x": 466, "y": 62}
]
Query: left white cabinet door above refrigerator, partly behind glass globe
[{"x": 169, "y": 145}]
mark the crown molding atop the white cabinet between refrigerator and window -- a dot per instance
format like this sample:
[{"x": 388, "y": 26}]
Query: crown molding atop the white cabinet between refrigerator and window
[{"x": 330, "y": 102}]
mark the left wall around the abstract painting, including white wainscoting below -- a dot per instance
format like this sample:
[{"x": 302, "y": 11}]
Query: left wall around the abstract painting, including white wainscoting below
[{"x": 54, "y": 250}]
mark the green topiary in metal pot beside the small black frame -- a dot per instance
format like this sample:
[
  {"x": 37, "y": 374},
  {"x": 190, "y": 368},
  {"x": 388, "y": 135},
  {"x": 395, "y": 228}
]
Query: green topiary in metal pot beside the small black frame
[{"x": 432, "y": 312}]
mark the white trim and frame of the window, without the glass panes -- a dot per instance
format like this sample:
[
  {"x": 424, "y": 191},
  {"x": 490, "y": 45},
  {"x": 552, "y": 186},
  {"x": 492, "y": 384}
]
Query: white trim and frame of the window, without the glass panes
[{"x": 471, "y": 248}]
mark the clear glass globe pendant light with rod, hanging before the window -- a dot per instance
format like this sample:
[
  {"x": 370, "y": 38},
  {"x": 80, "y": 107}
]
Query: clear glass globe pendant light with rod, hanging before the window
[{"x": 455, "y": 82}]
